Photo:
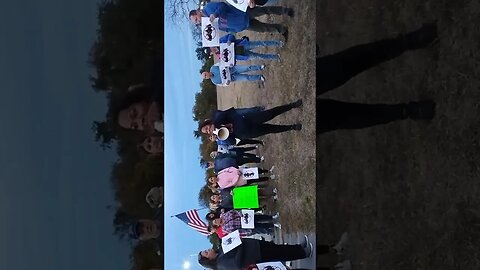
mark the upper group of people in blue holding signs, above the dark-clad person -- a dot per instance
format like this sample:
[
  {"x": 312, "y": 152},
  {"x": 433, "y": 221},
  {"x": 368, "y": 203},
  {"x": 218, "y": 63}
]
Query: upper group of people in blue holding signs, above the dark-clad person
[{"x": 232, "y": 20}]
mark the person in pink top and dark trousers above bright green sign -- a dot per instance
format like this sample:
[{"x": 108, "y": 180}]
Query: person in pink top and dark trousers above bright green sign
[{"x": 233, "y": 177}]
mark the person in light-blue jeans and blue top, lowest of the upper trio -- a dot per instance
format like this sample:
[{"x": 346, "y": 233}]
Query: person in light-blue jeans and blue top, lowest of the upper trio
[{"x": 237, "y": 74}]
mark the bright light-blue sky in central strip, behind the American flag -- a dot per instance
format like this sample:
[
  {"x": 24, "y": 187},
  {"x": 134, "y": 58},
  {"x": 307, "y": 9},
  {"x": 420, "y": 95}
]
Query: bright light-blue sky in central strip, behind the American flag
[{"x": 183, "y": 175}]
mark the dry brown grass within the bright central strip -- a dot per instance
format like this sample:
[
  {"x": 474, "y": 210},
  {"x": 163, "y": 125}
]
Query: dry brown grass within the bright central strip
[{"x": 292, "y": 153}]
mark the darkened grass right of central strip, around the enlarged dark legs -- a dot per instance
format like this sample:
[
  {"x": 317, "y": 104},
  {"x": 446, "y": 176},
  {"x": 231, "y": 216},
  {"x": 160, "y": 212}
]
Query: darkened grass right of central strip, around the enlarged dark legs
[{"x": 407, "y": 192}]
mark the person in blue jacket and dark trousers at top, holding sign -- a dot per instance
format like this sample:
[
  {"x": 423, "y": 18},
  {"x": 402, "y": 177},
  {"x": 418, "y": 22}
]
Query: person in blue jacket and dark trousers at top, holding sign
[{"x": 233, "y": 20}]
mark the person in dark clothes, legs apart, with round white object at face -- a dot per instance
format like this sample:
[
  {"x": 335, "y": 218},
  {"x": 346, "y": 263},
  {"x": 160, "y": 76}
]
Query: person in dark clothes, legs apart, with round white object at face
[{"x": 250, "y": 124}]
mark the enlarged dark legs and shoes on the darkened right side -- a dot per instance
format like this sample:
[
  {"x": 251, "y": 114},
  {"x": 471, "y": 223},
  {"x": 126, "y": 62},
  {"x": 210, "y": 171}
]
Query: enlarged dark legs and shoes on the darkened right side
[{"x": 337, "y": 69}]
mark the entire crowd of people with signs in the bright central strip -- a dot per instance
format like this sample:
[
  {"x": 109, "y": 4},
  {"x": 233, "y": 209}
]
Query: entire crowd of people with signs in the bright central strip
[{"x": 245, "y": 125}]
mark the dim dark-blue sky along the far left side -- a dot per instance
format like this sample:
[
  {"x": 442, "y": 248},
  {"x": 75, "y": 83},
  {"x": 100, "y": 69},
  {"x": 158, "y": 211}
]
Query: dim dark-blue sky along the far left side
[{"x": 54, "y": 179}]
